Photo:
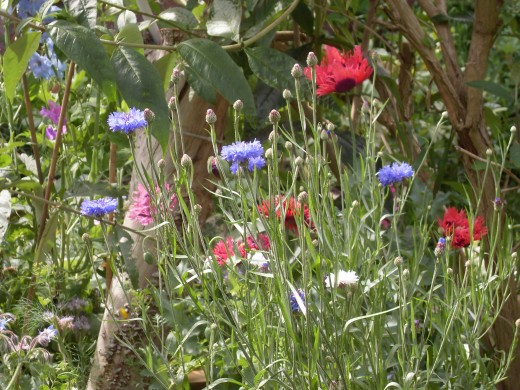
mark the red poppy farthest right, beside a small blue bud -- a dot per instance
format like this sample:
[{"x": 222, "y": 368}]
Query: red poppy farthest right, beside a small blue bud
[{"x": 456, "y": 225}]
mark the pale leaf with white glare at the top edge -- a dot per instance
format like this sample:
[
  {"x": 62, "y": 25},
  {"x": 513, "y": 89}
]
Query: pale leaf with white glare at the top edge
[{"x": 224, "y": 19}]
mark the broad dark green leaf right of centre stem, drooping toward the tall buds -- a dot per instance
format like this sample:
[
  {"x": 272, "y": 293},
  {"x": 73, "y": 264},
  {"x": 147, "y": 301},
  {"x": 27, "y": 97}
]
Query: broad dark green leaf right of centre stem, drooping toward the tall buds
[{"x": 210, "y": 70}]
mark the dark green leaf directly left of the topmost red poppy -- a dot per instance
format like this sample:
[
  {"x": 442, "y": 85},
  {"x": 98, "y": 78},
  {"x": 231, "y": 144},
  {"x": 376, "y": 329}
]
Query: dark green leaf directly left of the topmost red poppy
[{"x": 272, "y": 67}]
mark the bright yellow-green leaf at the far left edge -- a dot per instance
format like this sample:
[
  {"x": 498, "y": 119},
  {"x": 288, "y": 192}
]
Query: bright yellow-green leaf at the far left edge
[{"x": 16, "y": 59}]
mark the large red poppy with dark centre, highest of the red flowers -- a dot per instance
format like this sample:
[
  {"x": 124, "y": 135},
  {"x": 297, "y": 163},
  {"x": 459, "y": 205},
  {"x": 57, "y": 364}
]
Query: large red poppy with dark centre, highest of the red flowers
[{"x": 340, "y": 72}]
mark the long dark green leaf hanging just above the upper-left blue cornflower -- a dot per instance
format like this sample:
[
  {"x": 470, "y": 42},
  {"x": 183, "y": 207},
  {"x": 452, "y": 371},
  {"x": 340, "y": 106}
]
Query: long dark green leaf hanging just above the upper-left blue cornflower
[{"x": 141, "y": 86}]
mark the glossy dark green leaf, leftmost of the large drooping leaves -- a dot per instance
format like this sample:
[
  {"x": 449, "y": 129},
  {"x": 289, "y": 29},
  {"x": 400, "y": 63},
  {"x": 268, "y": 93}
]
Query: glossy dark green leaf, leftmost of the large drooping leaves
[{"x": 82, "y": 46}]
